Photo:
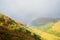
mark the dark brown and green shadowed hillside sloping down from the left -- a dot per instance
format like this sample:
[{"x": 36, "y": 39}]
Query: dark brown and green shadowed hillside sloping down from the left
[{"x": 12, "y": 30}]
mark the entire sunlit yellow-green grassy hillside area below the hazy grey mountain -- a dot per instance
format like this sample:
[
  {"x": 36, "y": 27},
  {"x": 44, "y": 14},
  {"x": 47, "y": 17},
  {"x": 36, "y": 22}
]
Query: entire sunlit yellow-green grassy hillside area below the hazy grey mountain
[{"x": 52, "y": 31}]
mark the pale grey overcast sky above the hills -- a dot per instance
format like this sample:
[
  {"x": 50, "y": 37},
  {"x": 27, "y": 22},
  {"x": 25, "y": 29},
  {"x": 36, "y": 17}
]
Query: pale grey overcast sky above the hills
[{"x": 25, "y": 10}]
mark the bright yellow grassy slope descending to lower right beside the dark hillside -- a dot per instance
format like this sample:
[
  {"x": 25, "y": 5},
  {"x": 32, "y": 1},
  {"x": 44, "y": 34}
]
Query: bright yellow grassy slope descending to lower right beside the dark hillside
[{"x": 45, "y": 35}]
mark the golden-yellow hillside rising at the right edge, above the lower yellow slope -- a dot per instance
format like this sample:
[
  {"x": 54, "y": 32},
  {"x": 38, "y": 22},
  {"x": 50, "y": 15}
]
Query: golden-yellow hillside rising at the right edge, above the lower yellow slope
[{"x": 55, "y": 30}]
